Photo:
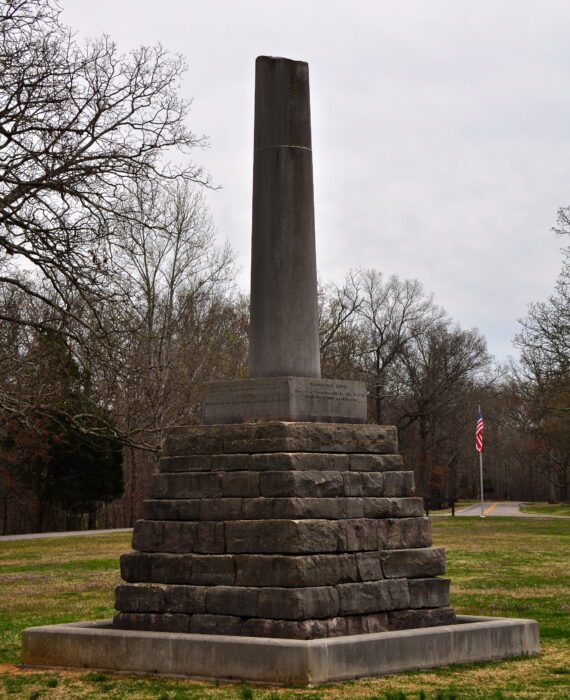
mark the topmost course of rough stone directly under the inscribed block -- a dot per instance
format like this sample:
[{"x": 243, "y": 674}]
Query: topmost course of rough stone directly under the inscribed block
[{"x": 249, "y": 438}]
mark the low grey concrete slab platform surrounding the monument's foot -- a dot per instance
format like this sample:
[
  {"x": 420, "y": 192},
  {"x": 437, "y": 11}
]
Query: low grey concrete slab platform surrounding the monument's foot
[{"x": 97, "y": 645}]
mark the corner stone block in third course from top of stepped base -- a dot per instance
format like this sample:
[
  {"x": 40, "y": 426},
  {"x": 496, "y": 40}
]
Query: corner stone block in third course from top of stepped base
[{"x": 304, "y": 484}]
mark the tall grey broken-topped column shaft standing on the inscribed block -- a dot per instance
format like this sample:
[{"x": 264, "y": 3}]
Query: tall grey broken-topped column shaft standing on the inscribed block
[{"x": 284, "y": 338}]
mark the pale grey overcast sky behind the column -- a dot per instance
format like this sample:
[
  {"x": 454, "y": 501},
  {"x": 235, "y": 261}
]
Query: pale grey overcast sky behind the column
[{"x": 441, "y": 132}]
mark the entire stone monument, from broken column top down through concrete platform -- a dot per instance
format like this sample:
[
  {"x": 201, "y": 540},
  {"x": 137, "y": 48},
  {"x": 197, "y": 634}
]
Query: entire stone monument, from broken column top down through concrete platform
[{"x": 282, "y": 541}]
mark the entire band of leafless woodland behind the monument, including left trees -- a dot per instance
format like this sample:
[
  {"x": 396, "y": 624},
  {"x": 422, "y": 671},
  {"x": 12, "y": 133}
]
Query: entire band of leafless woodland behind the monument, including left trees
[{"x": 117, "y": 304}]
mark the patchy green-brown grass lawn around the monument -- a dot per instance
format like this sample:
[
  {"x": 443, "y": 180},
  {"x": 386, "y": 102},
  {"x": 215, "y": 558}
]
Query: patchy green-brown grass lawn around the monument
[{"x": 513, "y": 567}]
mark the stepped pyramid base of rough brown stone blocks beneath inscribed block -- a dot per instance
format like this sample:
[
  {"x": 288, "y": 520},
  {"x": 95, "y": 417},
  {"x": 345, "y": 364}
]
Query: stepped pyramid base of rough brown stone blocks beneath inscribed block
[{"x": 282, "y": 529}]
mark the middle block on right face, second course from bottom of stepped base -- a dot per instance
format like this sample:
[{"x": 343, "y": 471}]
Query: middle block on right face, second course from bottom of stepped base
[{"x": 373, "y": 596}]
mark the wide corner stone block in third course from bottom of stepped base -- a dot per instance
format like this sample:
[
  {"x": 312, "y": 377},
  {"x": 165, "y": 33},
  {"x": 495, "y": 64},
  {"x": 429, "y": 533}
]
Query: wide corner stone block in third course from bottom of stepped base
[{"x": 294, "y": 571}]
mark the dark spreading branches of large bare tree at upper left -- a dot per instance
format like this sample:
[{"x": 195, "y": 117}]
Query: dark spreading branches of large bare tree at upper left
[{"x": 81, "y": 125}]
